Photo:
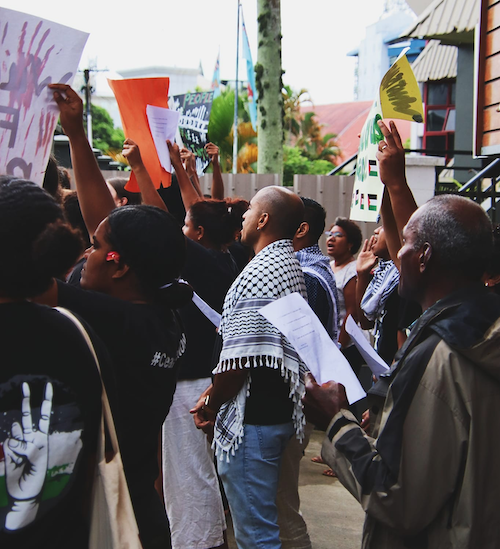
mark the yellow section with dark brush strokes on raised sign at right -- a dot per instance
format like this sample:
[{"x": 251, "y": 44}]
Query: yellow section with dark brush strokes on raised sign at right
[{"x": 400, "y": 96}]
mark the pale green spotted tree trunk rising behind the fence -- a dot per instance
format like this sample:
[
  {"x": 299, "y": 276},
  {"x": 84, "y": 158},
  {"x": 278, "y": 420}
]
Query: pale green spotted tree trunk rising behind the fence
[{"x": 269, "y": 85}]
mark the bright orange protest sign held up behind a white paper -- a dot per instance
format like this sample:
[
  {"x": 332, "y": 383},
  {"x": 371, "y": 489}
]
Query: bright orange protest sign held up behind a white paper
[{"x": 133, "y": 95}]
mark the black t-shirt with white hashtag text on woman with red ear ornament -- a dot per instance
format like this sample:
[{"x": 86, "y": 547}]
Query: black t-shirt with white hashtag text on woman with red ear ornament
[{"x": 142, "y": 340}]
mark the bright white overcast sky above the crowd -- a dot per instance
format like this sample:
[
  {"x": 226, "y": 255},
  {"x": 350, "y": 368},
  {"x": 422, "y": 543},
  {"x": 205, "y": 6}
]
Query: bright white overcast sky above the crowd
[{"x": 317, "y": 34}]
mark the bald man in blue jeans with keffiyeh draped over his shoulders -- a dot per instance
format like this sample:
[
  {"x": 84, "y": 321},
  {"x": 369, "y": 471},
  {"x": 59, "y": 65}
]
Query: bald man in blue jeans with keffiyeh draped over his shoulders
[{"x": 255, "y": 399}]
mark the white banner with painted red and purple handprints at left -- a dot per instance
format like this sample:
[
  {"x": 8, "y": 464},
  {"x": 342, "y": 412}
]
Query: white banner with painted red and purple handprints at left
[{"x": 34, "y": 52}]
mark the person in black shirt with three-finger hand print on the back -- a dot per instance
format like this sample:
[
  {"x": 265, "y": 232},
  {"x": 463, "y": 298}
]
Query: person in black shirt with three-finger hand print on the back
[{"x": 50, "y": 389}]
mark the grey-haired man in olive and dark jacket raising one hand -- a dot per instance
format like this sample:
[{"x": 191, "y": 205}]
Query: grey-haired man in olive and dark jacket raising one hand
[{"x": 426, "y": 478}]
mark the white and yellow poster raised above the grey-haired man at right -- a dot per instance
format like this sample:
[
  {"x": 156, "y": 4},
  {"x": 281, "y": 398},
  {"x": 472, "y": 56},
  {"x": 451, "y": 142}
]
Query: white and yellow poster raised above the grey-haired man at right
[{"x": 399, "y": 98}]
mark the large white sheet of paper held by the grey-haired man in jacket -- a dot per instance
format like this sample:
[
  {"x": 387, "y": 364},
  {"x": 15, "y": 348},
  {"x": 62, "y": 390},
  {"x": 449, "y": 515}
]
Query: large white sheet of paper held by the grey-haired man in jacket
[{"x": 299, "y": 324}]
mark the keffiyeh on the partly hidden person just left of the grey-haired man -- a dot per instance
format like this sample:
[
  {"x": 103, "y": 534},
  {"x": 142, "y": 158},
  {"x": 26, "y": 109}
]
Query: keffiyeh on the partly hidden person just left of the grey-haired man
[{"x": 384, "y": 282}]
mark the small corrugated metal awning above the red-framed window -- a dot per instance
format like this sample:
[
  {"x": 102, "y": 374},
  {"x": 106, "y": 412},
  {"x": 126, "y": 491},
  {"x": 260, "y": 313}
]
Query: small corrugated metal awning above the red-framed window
[{"x": 436, "y": 62}]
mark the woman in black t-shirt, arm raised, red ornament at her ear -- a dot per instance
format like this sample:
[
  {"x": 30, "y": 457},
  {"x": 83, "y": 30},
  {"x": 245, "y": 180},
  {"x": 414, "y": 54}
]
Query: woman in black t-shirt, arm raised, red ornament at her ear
[{"x": 136, "y": 257}]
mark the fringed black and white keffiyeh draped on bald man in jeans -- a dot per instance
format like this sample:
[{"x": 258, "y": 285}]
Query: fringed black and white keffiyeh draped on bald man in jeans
[{"x": 250, "y": 341}]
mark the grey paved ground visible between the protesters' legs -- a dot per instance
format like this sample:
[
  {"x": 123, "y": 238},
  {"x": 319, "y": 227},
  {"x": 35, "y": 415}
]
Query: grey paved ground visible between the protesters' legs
[{"x": 334, "y": 518}]
